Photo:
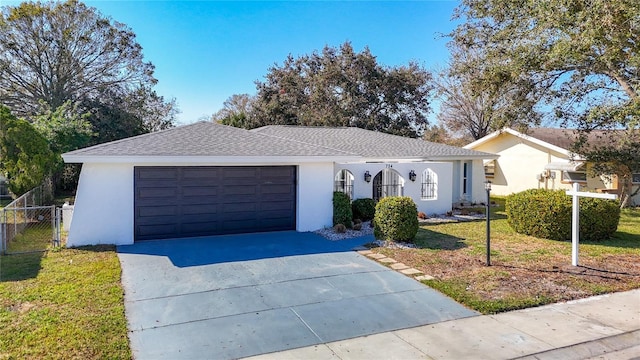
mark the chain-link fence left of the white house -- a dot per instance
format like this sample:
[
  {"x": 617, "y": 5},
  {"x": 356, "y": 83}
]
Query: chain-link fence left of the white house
[{"x": 27, "y": 226}]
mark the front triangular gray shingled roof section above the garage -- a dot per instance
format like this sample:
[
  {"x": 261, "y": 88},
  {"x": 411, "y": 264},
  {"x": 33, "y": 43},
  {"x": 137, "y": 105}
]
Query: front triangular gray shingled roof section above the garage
[{"x": 206, "y": 139}]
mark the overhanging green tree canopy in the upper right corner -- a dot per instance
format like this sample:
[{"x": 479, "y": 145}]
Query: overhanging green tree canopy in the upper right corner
[{"x": 582, "y": 58}]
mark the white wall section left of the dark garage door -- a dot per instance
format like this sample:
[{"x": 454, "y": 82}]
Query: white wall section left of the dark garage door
[{"x": 103, "y": 212}]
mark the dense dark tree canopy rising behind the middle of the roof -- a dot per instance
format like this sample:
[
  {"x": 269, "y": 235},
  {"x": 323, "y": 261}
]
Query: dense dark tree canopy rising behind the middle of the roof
[{"x": 340, "y": 87}]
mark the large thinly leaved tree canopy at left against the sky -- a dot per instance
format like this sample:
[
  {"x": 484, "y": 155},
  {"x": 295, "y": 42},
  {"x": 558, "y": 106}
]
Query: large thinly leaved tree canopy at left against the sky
[{"x": 52, "y": 53}]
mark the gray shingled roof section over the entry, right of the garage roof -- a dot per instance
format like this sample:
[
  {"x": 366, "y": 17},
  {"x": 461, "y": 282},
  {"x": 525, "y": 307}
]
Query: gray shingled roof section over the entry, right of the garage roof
[{"x": 371, "y": 144}]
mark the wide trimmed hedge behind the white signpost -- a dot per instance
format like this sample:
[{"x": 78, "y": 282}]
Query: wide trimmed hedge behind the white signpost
[{"x": 547, "y": 214}]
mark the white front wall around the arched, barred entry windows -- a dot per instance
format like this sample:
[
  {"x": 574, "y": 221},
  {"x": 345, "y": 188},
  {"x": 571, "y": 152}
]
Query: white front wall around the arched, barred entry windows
[{"x": 444, "y": 171}]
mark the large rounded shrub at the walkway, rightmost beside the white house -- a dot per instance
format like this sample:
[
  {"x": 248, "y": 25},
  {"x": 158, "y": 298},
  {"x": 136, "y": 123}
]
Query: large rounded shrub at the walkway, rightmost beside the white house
[{"x": 396, "y": 218}]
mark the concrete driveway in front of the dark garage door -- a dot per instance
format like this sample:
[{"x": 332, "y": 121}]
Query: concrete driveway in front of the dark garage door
[{"x": 228, "y": 297}]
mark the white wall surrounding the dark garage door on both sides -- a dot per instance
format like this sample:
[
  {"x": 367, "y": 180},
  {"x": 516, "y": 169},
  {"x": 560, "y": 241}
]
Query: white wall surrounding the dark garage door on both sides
[{"x": 103, "y": 212}]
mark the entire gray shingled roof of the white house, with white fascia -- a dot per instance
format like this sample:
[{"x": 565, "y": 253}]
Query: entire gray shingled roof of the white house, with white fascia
[{"x": 203, "y": 141}]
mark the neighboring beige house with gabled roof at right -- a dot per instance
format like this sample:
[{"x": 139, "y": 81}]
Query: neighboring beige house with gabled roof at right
[{"x": 538, "y": 159}]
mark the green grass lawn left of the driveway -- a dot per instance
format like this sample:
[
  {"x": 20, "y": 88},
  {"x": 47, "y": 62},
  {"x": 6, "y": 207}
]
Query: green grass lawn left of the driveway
[{"x": 66, "y": 303}]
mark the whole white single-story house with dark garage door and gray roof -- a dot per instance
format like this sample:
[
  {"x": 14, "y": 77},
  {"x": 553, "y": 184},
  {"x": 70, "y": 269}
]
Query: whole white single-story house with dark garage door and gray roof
[{"x": 208, "y": 179}]
